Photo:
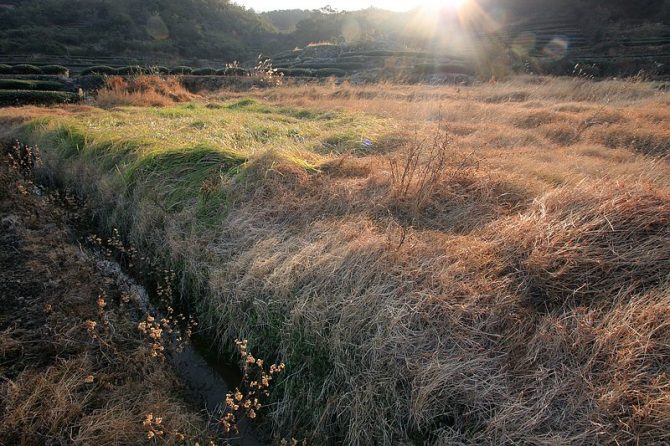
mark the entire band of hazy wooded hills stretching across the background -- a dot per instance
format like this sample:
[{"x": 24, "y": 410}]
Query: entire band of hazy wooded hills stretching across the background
[{"x": 608, "y": 38}]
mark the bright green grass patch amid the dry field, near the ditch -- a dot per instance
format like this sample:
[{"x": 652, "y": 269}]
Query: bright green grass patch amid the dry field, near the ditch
[{"x": 188, "y": 156}]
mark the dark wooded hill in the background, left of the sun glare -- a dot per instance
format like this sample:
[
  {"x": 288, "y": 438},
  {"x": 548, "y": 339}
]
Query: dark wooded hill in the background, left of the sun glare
[{"x": 158, "y": 30}]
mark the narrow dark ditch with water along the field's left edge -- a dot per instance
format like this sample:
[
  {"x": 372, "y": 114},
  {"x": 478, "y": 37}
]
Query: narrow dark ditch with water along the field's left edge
[{"x": 209, "y": 375}]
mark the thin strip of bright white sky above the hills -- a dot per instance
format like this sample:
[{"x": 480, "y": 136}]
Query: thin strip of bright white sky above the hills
[{"x": 349, "y": 5}]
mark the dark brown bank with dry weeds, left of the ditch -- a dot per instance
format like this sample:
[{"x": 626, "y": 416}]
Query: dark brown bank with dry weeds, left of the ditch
[{"x": 73, "y": 367}]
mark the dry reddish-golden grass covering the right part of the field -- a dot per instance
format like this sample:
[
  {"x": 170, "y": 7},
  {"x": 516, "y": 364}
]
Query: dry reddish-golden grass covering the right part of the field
[{"x": 505, "y": 302}]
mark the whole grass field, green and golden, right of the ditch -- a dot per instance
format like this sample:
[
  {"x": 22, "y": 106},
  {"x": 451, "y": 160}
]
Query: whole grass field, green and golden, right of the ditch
[{"x": 435, "y": 265}]
